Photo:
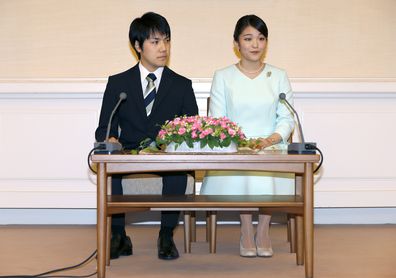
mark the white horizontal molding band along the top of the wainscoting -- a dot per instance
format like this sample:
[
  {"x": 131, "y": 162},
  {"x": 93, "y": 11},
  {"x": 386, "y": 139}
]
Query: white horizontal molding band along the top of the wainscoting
[{"x": 94, "y": 88}]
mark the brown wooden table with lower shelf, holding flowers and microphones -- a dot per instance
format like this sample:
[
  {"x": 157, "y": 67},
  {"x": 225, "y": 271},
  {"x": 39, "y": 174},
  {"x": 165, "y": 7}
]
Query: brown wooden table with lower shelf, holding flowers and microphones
[{"x": 274, "y": 161}]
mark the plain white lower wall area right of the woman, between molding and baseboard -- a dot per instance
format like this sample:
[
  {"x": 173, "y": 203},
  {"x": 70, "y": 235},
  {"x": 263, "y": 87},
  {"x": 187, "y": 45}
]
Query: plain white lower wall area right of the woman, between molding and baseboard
[{"x": 355, "y": 135}]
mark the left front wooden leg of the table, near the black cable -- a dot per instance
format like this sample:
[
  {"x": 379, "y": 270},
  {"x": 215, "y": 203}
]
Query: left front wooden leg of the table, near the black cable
[{"x": 101, "y": 226}]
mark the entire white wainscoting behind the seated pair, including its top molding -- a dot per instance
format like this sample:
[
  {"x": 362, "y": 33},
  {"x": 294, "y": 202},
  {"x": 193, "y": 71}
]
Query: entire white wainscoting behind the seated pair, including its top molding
[{"x": 47, "y": 129}]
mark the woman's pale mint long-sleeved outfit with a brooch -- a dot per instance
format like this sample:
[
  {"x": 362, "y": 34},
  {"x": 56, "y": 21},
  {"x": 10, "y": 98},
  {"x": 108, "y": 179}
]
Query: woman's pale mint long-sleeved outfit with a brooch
[{"x": 254, "y": 105}]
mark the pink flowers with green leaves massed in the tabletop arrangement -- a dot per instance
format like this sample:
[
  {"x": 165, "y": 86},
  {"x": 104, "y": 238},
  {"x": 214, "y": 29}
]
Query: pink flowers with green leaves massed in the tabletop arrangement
[{"x": 208, "y": 131}]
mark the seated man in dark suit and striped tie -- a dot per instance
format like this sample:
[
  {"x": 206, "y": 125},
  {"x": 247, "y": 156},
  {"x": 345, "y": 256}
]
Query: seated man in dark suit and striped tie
[{"x": 154, "y": 94}]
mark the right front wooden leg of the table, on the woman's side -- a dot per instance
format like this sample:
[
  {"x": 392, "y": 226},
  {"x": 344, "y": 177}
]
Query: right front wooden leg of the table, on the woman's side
[{"x": 308, "y": 220}]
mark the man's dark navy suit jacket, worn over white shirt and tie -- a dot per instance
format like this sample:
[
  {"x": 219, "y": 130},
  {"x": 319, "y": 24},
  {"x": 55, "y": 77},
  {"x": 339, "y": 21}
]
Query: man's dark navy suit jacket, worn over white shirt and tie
[{"x": 131, "y": 125}]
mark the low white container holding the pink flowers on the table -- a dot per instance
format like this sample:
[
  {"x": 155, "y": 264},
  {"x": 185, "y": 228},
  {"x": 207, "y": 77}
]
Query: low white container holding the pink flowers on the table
[{"x": 184, "y": 148}]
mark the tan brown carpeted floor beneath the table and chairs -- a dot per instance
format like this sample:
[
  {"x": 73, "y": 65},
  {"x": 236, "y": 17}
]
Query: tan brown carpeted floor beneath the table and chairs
[{"x": 346, "y": 251}]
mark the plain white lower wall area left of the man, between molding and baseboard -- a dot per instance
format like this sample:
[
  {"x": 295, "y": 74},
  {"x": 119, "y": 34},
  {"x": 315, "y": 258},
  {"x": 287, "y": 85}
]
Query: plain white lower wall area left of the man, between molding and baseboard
[{"x": 44, "y": 155}]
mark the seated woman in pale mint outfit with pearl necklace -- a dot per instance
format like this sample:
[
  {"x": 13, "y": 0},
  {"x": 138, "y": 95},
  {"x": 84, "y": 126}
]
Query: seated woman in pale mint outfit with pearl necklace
[{"x": 248, "y": 93}]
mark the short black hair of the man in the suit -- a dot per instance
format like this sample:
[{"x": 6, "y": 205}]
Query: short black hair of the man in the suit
[{"x": 142, "y": 27}]
